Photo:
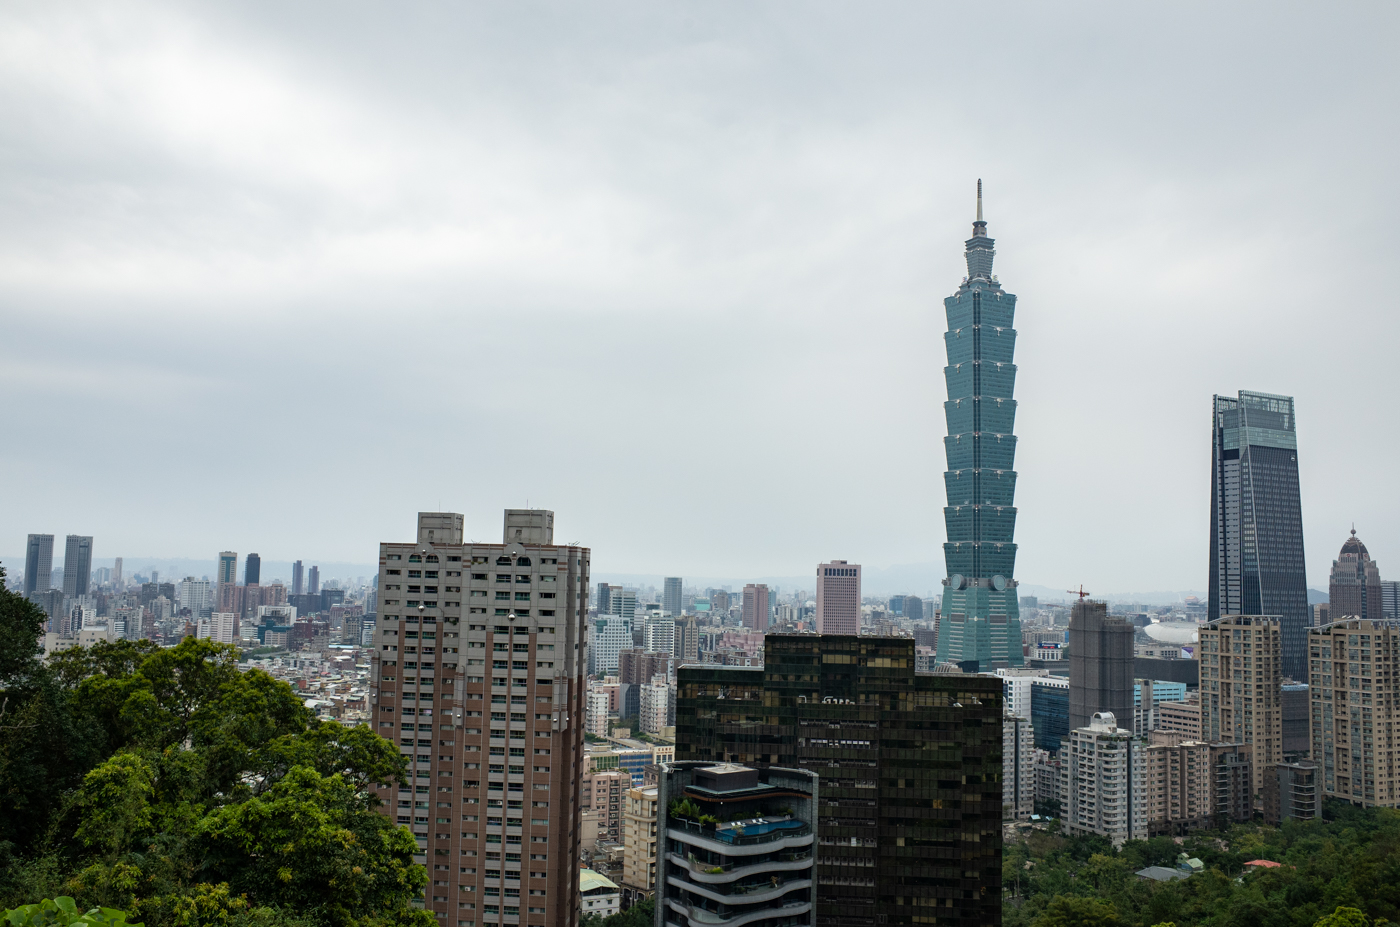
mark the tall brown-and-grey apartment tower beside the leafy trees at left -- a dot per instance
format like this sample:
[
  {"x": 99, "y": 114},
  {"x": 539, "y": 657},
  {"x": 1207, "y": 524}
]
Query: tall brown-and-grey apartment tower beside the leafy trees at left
[{"x": 479, "y": 674}]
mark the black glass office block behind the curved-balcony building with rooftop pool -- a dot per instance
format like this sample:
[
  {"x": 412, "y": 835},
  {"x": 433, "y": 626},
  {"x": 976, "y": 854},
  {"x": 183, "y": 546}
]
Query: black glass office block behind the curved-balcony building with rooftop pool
[{"x": 911, "y": 769}]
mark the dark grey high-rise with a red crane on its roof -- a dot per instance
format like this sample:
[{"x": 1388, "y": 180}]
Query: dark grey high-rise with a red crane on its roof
[{"x": 1101, "y": 664}]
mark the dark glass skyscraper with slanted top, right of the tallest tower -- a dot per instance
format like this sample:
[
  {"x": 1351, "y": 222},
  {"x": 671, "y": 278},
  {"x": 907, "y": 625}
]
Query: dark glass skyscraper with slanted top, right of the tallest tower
[{"x": 1258, "y": 522}]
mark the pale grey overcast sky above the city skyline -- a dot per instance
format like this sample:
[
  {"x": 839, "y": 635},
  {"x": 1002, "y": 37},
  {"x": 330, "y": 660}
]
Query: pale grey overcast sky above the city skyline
[{"x": 278, "y": 277}]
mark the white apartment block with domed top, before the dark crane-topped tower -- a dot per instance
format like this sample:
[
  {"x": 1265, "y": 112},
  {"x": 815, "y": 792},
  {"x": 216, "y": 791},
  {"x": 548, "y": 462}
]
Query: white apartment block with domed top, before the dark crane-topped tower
[{"x": 1105, "y": 782}]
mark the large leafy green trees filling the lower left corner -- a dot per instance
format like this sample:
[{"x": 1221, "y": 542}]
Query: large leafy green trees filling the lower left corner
[{"x": 171, "y": 786}]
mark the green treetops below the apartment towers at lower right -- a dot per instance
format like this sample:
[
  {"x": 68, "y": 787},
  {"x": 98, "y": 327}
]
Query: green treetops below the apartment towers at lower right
[{"x": 1349, "y": 862}]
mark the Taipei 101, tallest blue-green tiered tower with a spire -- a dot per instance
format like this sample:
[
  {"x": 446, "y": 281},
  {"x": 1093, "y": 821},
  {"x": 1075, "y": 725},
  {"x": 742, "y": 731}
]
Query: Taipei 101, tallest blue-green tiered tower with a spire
[{"x": 981, "y": 621}]
